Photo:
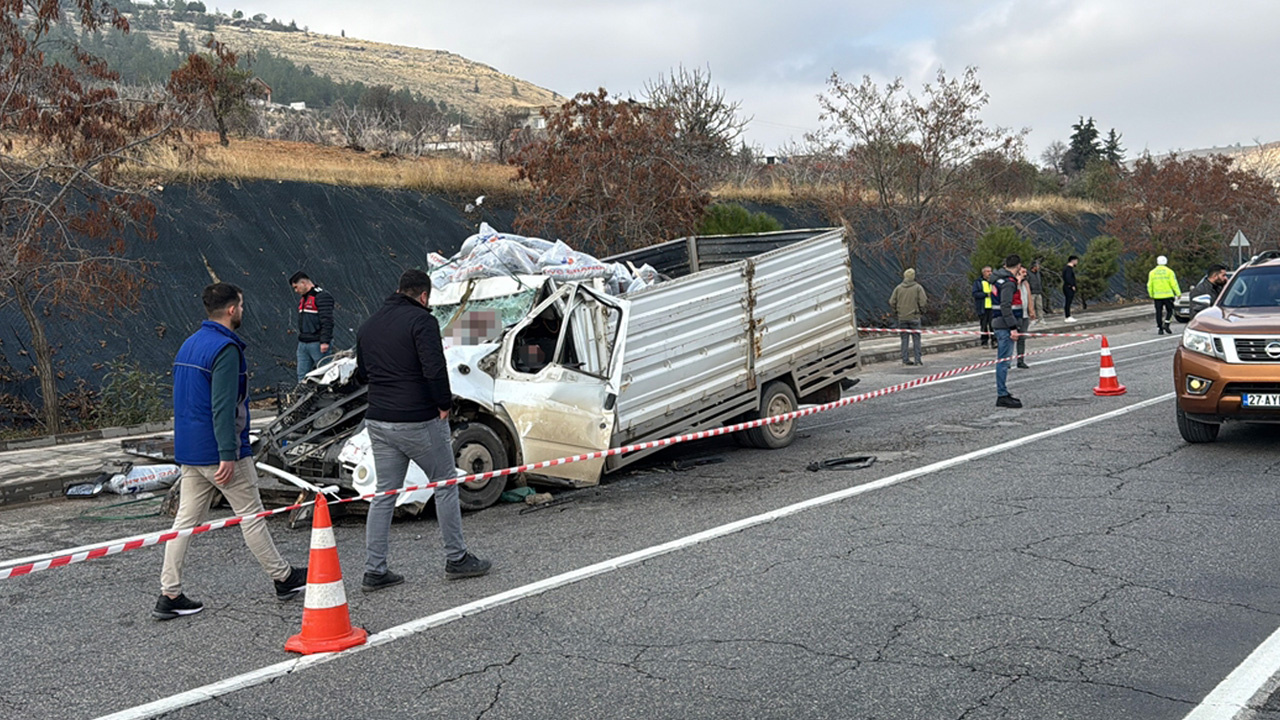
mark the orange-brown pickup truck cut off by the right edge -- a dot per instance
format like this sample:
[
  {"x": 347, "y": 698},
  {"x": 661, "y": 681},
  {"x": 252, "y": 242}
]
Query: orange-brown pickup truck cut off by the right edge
[{"x": 1228, "y": 367}]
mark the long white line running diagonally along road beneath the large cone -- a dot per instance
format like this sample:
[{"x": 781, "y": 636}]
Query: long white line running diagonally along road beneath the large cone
[{"x": 415, "y": 627}]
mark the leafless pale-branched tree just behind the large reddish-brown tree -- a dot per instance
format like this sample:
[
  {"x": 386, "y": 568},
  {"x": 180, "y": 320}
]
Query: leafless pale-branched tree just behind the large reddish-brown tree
[{"x": 708, "y": 126}]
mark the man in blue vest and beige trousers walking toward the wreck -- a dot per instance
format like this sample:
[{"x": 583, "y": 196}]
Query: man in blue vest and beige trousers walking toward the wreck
[{"x": 211, "y": 439}]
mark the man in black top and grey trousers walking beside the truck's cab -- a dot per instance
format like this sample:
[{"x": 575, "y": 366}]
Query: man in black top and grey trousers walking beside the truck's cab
[{"x": 401, "y": 358}]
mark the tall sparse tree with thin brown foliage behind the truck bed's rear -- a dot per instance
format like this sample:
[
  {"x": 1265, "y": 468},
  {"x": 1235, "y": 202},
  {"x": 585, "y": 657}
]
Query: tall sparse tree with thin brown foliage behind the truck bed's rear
[{"x": 906, "y": 165}]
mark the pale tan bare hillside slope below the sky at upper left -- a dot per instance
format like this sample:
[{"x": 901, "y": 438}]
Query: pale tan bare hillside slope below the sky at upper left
[{"x": 433, "y": 74}]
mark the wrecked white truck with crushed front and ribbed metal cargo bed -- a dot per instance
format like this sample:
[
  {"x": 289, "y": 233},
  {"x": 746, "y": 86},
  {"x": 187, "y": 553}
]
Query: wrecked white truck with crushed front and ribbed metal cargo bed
[{"x": 740, "y": 327}]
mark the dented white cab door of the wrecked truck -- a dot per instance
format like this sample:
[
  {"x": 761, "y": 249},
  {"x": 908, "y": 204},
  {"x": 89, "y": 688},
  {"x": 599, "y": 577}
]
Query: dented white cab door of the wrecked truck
[{"x": 559, "y": 379}]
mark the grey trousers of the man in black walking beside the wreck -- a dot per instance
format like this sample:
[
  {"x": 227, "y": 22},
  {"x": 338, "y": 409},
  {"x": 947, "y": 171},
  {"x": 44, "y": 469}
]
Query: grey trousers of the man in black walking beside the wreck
[{"x": 395, "y": 445}]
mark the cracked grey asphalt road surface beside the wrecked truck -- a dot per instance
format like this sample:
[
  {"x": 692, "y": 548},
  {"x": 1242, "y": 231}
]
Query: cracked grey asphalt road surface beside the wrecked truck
[{"x": 1108, "y": 572}]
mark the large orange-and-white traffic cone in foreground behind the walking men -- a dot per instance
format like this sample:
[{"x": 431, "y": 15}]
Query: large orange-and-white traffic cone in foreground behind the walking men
[{"x": 326, "y": 622}]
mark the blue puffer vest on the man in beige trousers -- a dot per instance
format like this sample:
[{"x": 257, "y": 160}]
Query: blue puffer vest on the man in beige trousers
[{"x": 194, "y": 440}]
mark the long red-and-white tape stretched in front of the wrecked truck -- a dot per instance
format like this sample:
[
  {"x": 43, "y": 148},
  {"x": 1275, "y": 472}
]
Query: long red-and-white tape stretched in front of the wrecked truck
[{"x": 118, "y": 546}]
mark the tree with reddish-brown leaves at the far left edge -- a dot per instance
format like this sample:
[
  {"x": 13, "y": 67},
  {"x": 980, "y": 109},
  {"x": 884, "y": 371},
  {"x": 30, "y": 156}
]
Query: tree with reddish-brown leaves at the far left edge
[{"x": 66, "y": 209}]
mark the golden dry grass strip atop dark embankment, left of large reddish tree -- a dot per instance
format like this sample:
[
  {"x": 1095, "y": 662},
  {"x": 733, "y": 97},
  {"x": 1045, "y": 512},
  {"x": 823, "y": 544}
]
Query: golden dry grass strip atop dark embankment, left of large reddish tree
[{"x": 257, "y": 160}]
